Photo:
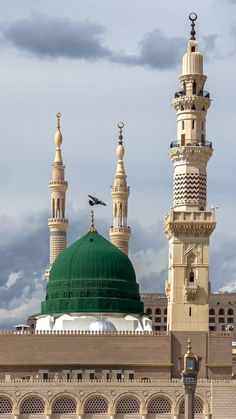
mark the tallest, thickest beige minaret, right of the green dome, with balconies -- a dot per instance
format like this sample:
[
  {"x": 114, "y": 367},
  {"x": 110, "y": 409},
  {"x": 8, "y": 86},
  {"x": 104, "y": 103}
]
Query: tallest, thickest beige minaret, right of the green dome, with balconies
[{"x": 189, "y": 224}]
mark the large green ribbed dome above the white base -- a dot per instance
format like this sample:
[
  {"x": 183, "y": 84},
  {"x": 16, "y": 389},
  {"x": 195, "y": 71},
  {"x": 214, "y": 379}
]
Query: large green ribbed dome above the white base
[{"x": 92, "y": 276}]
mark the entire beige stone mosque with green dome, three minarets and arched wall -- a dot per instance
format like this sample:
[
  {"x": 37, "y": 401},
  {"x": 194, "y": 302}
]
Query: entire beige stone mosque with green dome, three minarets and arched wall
[{"x": 93, "y": 353}]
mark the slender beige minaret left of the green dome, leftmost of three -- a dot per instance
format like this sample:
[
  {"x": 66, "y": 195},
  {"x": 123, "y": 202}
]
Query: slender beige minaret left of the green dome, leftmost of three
[{"x": 57, "y": 224}]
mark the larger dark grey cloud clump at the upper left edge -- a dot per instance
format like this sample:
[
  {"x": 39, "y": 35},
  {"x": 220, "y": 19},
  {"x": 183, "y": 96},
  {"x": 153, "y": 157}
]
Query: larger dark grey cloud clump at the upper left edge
[{"x": 56, "y": 37}]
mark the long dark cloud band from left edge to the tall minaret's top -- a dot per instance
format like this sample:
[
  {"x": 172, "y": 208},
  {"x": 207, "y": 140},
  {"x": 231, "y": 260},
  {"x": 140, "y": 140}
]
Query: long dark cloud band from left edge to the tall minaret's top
[{"x": 52, "y": 37}]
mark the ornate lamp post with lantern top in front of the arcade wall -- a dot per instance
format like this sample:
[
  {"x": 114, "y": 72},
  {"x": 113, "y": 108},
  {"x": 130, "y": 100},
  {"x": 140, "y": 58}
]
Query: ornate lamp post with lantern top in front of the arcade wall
[{"x": 189, "y": 380}]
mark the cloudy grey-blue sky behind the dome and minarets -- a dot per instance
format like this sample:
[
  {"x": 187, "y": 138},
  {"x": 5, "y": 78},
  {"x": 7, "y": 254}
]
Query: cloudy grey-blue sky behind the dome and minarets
[{"x": 98, "y": 63}]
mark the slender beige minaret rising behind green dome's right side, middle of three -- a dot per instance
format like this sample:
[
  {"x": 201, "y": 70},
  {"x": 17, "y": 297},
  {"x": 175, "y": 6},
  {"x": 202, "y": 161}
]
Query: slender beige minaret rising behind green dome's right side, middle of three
[{"x": 120, "y": 232}]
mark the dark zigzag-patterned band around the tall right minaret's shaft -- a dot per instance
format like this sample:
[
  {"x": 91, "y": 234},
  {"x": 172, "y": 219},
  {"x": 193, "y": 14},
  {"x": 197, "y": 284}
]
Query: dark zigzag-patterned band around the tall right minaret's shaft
[{"x": 190, "y": 189}]
